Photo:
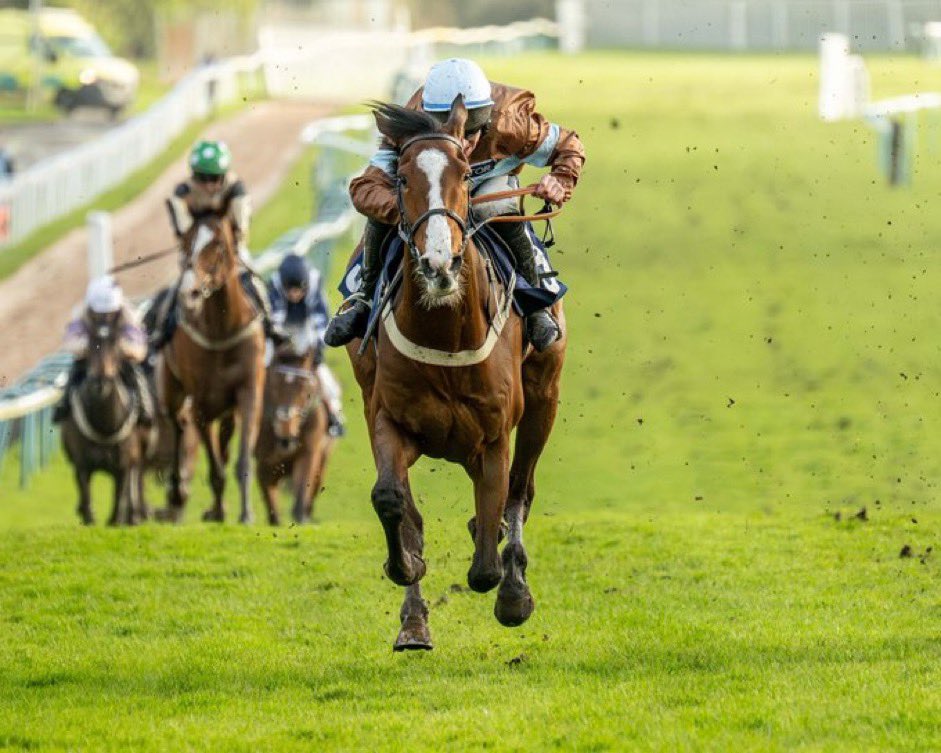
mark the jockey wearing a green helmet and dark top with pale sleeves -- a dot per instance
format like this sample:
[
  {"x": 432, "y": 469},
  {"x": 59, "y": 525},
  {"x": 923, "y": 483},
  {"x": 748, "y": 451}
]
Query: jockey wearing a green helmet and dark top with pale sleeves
[{"x": 210, "y": 187}]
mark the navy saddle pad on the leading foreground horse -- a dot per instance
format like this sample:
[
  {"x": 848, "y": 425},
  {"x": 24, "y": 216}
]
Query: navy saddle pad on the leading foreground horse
[{"x": 526, "y": 298}]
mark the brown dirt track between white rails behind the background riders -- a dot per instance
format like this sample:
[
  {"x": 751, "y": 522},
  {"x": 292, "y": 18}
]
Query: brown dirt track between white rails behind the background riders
[{"x": 35, "y": 303}]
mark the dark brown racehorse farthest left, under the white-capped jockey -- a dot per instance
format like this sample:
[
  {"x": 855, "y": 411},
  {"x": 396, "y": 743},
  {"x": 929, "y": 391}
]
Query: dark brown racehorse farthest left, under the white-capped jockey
[{"x": 102, "y": 432}]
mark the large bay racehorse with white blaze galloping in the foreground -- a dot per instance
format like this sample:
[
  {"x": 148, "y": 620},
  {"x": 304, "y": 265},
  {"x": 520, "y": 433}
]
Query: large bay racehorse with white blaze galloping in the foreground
[{"x": 450, "y": 377}]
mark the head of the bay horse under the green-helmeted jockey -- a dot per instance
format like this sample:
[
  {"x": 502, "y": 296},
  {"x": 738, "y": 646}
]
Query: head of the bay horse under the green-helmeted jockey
[{"x": 209, "y": 246}]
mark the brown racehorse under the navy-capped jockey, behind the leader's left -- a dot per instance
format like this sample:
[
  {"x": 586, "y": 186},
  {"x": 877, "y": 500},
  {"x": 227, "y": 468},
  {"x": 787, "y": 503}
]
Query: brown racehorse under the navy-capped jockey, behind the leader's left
[{"x": 293, "y": 441}]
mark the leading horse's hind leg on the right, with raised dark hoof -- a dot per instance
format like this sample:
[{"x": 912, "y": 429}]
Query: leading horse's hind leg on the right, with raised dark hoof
[{"x": 514, "y": 602}]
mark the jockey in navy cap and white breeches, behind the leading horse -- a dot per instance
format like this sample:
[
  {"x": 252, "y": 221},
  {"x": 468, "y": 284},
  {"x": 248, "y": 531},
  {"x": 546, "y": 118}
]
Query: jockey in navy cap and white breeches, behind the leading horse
[{"x": 298, "y": 302}]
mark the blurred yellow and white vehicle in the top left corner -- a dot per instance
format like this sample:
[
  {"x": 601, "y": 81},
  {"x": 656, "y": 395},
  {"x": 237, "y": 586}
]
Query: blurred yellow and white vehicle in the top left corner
[{"x": 72, "y": 62}]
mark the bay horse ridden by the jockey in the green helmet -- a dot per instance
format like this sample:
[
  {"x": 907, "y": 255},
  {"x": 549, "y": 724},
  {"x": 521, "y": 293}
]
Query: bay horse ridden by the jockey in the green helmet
[{"x": 216, "y": 359}]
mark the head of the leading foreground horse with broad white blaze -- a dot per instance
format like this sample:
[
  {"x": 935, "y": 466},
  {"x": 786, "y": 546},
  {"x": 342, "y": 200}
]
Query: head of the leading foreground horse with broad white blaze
[{"x": 433, "y": 196}]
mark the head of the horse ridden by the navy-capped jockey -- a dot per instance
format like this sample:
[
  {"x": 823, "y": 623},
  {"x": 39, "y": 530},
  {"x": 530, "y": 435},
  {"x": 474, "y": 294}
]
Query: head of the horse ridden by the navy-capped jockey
[{"x": 293, "y": 391}]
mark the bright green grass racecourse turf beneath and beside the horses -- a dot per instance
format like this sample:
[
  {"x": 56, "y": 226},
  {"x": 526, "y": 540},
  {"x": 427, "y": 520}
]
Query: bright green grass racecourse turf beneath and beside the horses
[{"x": 753, "y": 359}]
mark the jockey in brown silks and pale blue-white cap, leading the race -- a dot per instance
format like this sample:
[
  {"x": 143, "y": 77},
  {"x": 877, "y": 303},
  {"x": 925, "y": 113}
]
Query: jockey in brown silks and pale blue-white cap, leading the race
[{"x": 503, "y": 133}]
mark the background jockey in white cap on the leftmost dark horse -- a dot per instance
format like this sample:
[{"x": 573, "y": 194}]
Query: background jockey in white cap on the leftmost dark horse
[{"x": 104, "y": 296}]
